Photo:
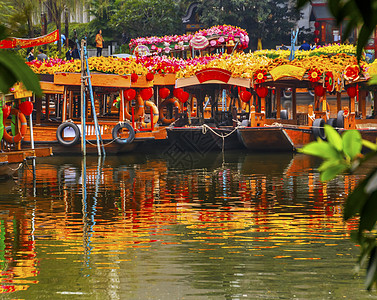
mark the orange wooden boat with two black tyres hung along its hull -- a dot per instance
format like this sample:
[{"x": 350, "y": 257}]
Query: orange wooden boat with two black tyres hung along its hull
[{"x": 61, "y": 105}]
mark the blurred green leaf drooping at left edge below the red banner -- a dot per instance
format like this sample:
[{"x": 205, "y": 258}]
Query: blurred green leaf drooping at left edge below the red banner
[{"x": 16, "y": 70}]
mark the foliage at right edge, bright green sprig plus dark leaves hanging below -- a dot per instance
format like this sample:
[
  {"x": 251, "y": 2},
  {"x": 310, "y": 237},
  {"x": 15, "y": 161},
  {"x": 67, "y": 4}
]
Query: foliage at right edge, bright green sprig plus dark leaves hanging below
[{"x": 340, "y": 154}]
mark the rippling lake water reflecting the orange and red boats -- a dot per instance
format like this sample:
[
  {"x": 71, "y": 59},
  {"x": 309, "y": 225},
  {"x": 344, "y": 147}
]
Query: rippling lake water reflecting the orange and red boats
[{"x": 186, "y": 226}]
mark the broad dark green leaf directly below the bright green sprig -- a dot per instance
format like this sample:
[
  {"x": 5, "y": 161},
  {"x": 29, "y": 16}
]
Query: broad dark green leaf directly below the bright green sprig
[{"x": 355, "y": 201}]
